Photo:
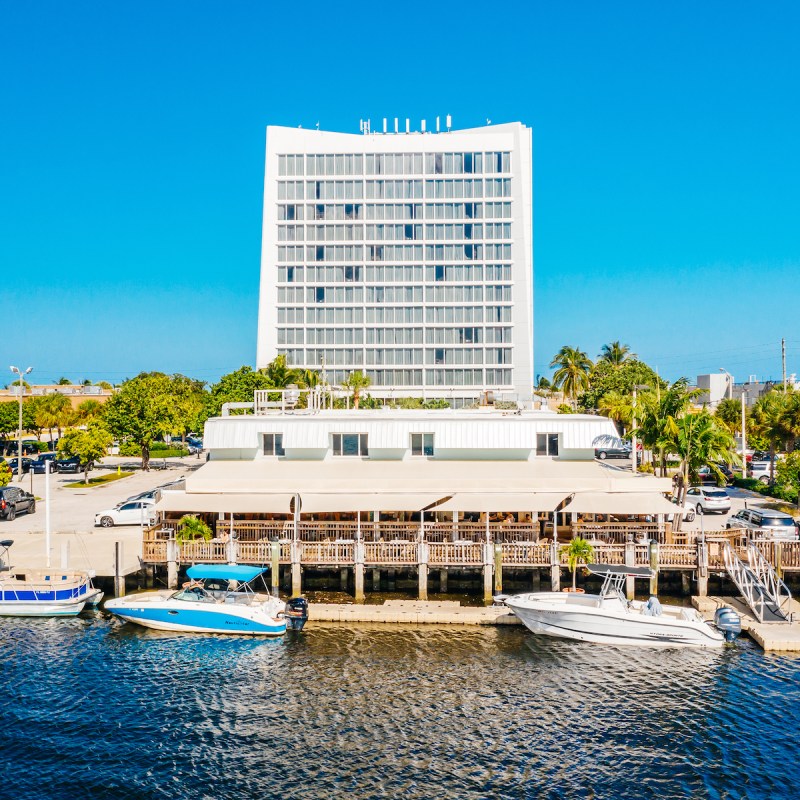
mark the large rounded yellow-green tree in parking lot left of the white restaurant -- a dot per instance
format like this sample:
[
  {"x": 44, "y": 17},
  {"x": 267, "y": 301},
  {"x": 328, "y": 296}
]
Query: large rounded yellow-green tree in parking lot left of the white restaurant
[{"x": 143, "y": 409}]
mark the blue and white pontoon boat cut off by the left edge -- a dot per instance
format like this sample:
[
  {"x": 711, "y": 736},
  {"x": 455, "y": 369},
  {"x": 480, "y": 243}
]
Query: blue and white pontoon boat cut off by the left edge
[{"x": 43, "y": 592}]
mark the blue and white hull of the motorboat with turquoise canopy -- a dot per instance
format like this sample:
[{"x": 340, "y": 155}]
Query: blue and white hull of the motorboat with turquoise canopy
[{"x": 167, "y": 614}]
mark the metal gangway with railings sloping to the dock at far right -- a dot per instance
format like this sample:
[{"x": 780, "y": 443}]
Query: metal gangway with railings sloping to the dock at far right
[{"x": 764, "y": 592}]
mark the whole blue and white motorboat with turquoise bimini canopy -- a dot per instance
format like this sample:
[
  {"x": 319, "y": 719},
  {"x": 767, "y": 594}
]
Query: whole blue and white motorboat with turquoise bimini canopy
[{"x": 218, "y": 598}]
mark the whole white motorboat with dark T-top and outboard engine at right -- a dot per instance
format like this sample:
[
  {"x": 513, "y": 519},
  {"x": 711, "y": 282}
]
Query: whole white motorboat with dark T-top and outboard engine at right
[{"x": 610, "y": 618}]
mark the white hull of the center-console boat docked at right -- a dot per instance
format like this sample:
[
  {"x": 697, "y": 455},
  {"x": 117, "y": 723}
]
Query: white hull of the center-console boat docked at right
[{"x": 548, "y": 614}]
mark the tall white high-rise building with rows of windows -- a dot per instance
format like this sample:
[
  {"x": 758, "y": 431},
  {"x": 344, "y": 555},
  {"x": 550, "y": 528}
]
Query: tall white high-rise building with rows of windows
[{"x": 405, "y": 255}]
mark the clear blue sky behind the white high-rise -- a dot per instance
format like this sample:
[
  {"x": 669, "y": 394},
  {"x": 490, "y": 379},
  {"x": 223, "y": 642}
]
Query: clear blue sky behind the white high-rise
[{"x": 666, "y": 167}]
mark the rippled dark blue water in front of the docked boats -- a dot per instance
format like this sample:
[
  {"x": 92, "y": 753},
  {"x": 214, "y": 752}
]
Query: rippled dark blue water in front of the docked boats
[{"x": 99, "y": 709}]
